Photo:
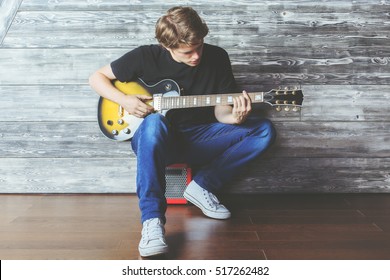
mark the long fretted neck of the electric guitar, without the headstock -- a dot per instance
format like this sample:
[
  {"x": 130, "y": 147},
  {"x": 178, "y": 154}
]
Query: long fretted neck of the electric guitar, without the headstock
[{"x": 193, "y": 101}]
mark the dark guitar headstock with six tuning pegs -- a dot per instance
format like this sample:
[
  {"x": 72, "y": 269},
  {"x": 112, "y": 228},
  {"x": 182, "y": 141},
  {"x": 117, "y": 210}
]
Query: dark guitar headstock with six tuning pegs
[{"x": 286, "y": 98}]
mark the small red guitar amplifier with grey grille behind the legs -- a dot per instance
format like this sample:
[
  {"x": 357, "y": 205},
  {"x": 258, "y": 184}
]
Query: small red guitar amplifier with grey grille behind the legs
[{"x": 177, "y": 177}]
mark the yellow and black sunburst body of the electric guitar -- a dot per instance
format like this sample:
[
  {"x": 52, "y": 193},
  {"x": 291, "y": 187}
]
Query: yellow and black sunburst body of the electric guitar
[{"x": 117, "y": 124}]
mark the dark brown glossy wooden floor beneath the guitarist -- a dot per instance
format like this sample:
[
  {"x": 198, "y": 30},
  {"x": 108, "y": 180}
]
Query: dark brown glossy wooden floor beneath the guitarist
[{"x": 280, "y": 226}]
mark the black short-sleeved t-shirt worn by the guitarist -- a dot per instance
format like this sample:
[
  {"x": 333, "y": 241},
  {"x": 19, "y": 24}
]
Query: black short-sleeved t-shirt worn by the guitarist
[{"x": 154, "y": 63}]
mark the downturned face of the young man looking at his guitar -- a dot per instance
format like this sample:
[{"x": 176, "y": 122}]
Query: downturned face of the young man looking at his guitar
[{"x": 190, "y": 55}]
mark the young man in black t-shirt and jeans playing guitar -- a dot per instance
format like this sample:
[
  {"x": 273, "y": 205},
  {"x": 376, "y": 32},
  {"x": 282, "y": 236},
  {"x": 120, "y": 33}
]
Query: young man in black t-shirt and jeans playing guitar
[{"x": 220, "y": 138}]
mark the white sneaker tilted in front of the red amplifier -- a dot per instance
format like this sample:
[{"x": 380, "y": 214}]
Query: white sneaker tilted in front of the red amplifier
[{"x": 206, "y": 201}]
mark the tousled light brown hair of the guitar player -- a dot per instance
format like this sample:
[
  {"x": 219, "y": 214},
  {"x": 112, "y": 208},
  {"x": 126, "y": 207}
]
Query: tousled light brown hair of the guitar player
[{"x": 180, "y": 25}]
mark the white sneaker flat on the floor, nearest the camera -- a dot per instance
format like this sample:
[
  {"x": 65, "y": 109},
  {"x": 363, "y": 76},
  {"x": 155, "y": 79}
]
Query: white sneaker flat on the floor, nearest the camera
[{"x": 153, "y": 239}]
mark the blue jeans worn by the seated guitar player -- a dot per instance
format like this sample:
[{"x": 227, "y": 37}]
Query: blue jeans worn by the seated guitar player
[{"x": 221, "y": 149}]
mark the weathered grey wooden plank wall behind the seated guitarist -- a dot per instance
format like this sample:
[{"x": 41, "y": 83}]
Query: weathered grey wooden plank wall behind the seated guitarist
[{"x": 337, "y": 51}]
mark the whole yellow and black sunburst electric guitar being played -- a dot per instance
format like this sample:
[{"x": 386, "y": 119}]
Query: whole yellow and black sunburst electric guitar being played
[{"x": 117, "y": 124}]
